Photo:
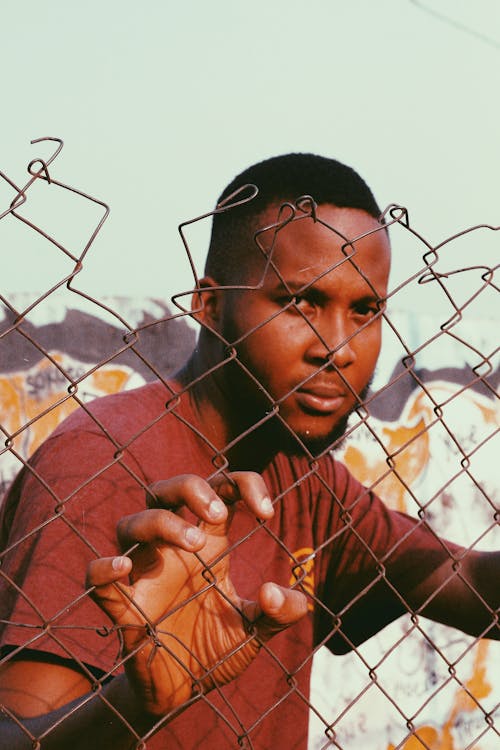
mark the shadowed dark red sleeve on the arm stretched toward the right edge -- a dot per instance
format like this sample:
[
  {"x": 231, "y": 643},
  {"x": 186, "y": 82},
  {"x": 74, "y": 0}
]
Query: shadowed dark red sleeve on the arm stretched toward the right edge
[{"x": 371, "y": 559}]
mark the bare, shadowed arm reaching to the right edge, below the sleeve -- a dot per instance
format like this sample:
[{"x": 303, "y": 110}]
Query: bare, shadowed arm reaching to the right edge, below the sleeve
[{"x": 463, "y": 595}]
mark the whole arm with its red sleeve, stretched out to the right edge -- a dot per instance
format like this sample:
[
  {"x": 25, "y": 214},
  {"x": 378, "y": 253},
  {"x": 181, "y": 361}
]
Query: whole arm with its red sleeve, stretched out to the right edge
[{"x": 388, "y": 564}]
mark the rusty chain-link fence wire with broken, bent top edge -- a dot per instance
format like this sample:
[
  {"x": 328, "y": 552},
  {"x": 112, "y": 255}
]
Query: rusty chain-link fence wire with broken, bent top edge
[{"x": 482, "y": 376}]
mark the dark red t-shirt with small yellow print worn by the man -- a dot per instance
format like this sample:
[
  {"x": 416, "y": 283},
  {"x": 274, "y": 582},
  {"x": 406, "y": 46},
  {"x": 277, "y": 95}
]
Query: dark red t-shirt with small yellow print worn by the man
[{"x": 92, "y": 471}]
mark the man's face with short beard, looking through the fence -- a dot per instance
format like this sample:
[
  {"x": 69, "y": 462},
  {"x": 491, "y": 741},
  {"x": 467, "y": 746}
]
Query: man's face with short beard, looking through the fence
[{"x": 313, "y": 346}]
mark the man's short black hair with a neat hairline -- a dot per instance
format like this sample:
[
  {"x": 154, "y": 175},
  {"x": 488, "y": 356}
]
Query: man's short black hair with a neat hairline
[{"x": 279, "y": 179}]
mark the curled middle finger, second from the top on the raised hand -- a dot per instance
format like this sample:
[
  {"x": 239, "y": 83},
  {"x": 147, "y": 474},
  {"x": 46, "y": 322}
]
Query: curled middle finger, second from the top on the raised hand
[{"x": 190, "y": 491}]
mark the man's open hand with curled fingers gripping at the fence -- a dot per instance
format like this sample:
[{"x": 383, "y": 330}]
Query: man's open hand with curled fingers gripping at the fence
[{"x": 183, "y": 626}]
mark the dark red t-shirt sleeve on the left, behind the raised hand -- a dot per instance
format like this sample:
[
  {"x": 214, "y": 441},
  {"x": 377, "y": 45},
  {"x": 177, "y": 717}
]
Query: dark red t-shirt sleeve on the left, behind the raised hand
[{"x": 66, "y": 513}]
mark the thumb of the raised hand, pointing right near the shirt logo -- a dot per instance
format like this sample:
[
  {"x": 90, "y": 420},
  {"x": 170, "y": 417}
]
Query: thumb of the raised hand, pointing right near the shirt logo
[{"x": 275, "y": 610}]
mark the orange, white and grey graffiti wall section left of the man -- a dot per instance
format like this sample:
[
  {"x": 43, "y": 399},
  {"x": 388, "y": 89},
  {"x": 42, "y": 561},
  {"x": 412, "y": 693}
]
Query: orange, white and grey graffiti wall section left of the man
[{"x": 34, "y": 393}]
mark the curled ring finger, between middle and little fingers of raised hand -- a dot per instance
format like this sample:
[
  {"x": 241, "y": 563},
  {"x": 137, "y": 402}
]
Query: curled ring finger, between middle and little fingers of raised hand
[{"x": 159, "y": 527}]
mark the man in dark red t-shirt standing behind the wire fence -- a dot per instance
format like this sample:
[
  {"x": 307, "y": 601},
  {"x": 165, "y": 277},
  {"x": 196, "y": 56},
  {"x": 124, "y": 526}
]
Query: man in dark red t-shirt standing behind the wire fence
[{"x": 253, "y": 539}]
